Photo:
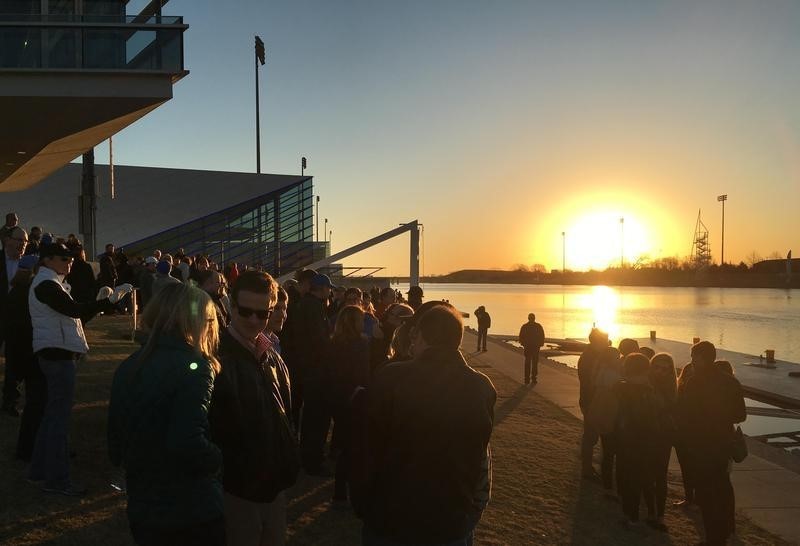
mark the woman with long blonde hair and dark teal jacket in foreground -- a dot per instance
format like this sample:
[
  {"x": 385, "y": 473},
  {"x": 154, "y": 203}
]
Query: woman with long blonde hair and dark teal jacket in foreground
[{"x": 158, "y": 429}]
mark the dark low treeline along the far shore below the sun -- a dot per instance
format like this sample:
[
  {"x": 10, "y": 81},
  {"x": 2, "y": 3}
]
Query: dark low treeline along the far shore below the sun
[{"x": 735, "y": 276}]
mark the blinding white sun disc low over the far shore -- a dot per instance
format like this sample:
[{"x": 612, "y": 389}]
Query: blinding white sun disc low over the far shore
[{"x": 601, "y": 239}]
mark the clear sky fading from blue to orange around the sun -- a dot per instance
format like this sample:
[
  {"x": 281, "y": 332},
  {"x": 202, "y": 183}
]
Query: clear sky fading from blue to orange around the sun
[{"x": 502, "y": 124}]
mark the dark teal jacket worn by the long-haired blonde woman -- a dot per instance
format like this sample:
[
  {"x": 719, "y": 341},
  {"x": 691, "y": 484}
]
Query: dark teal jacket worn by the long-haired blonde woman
[{"x": 158, "y": 432}]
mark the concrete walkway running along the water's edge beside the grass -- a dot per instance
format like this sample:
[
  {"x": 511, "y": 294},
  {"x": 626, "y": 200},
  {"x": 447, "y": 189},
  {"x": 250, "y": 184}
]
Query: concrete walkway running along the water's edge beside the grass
[{"x": 766, "y": 493}]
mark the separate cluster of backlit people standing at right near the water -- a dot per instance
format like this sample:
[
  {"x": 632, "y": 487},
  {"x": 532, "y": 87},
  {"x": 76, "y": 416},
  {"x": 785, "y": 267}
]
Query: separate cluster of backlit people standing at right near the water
[{"x": 634, "y": 402}]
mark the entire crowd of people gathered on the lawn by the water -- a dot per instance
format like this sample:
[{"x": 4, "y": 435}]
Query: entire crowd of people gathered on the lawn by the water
[{"x": 241, "y": 384}]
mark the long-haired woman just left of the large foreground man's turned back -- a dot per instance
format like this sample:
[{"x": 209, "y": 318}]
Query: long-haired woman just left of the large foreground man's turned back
[{"x": 349, "y": 368}]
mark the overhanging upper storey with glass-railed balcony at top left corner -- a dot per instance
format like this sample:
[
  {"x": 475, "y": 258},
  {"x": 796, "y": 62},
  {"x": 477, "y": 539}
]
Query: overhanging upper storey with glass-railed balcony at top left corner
[{"x": 75, "y": 72}]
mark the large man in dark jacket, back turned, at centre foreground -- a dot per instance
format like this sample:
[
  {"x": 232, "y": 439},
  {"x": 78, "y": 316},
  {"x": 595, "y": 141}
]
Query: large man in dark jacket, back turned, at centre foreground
[{"x": 430, "y": 420}]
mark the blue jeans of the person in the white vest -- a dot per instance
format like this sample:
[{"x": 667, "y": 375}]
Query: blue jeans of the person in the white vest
[{"x": 50, "y": 461}]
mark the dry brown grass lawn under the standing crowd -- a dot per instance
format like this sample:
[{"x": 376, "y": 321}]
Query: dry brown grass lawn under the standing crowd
[{"x": 538, "y": 497}]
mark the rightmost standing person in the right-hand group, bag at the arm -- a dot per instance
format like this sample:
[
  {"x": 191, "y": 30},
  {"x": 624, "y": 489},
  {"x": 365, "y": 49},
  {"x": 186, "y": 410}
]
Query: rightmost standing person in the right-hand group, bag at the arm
[{"x": 707, "y": 409}]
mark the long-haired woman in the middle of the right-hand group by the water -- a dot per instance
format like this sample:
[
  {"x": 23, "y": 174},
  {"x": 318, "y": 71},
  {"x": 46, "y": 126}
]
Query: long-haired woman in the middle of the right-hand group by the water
[{"x": 665, "y": 384}]
